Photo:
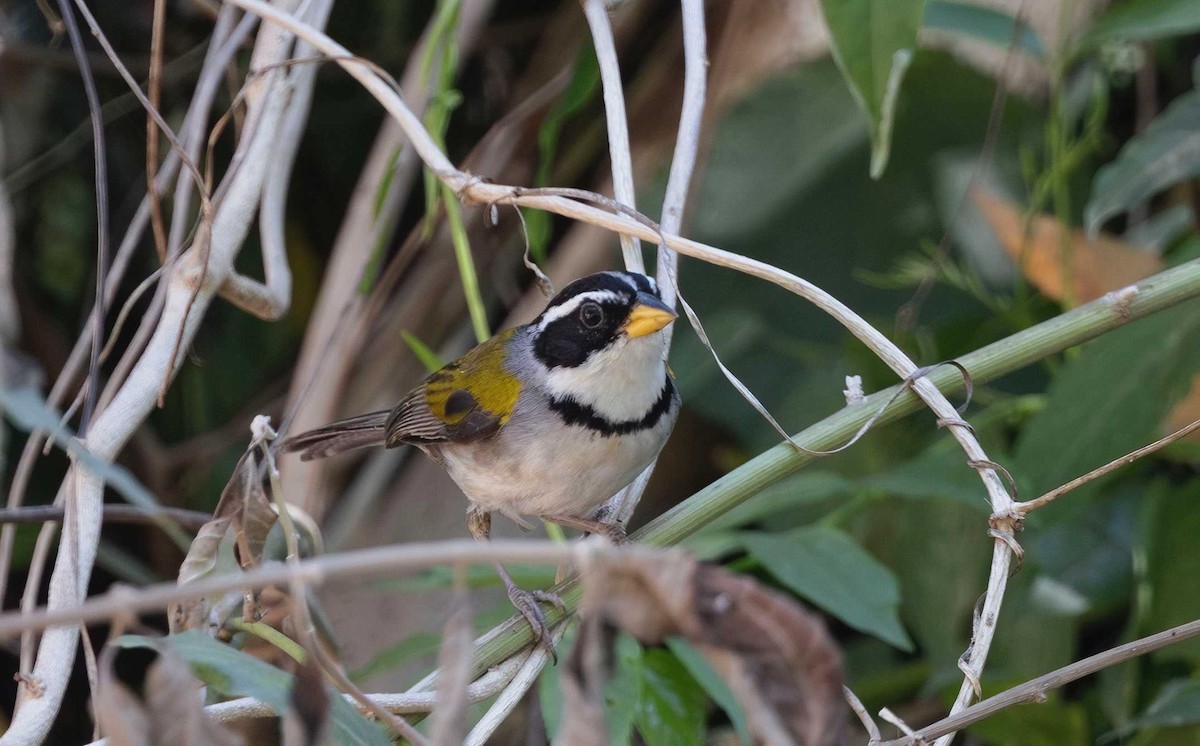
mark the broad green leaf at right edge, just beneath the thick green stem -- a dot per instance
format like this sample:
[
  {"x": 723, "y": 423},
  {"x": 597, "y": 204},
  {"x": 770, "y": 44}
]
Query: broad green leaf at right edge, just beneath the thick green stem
[{"x": 1109, "y": 400}]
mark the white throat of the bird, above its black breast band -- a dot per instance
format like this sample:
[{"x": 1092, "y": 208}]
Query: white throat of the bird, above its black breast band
[{"x": 620, "y": 383}]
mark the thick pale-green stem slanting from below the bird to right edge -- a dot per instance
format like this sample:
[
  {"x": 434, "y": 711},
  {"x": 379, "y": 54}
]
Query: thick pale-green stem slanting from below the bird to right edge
[{"x": 1001, "y": 358}]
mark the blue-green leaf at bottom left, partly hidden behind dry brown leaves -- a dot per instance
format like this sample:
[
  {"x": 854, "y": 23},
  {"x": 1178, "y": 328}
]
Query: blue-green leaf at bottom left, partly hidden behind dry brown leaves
[{"x": 232, "y": 673}]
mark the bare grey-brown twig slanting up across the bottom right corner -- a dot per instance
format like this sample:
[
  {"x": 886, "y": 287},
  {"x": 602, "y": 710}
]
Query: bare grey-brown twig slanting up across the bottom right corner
[{"x": 1035, "y": 691}]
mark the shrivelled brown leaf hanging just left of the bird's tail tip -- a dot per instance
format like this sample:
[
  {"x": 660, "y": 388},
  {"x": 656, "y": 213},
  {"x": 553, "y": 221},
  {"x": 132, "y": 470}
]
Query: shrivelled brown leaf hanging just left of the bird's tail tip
[{"x": 233, "y": 540}]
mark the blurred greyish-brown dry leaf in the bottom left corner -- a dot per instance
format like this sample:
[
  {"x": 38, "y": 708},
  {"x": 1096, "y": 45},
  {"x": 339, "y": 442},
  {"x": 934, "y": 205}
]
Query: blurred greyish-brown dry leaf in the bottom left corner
[{"x": 170, "y": 709}]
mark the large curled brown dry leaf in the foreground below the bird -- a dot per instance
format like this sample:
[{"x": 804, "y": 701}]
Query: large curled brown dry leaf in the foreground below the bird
[{"x": 778, "y": 658}]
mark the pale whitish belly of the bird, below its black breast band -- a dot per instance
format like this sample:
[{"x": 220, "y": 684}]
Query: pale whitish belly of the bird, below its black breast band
[{"x": 571, "y": 474}]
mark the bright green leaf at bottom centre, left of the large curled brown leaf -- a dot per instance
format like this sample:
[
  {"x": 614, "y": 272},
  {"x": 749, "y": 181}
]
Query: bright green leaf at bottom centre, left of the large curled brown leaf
[{"x": 671, "y": 709}]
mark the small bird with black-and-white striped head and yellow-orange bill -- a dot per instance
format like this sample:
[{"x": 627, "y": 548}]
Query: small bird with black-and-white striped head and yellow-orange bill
[{"x": 547, "y": 420}]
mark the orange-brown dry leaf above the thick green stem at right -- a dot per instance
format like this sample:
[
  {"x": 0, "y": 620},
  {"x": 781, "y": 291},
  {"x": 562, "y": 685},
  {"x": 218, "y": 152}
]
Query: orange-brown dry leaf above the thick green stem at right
[{"x": 1096, "y": 267}]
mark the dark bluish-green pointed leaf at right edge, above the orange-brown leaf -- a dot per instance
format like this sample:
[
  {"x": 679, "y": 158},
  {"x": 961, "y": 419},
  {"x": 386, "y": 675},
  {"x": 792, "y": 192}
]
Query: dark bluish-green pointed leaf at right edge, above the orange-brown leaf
[{"x": 1167, "y": 153}]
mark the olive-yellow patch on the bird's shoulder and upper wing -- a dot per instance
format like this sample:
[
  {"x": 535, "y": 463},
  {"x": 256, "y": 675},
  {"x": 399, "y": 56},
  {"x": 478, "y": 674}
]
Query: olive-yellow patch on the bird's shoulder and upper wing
[{"x": 481, "y": 374}]
